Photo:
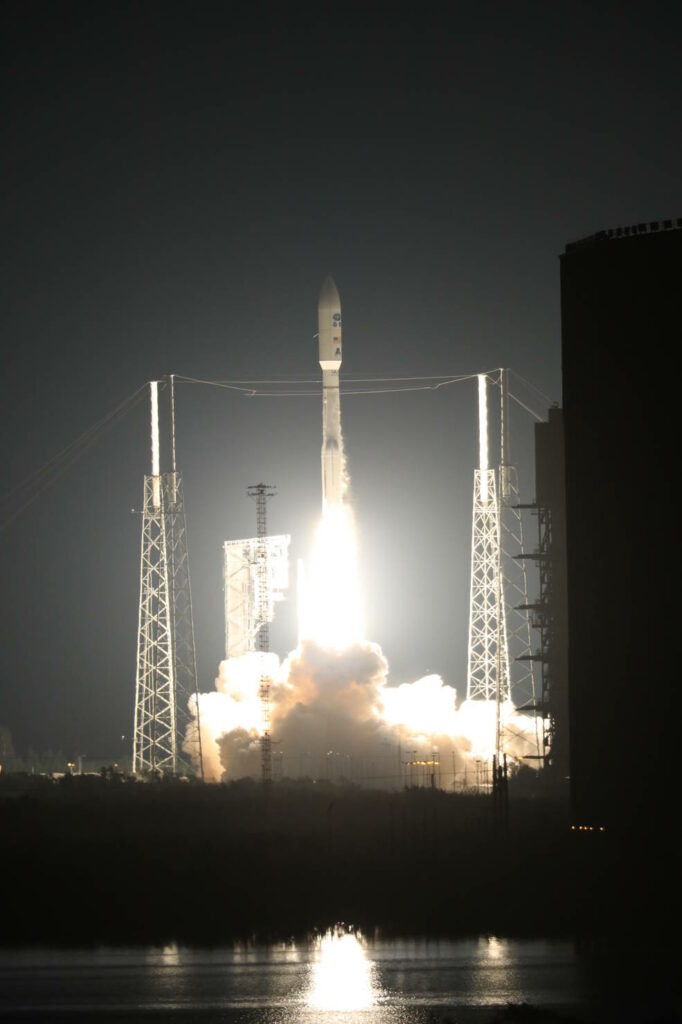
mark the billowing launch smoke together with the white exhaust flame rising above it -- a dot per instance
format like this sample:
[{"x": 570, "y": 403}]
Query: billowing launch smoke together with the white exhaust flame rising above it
[{"x": 333, "y": 713}]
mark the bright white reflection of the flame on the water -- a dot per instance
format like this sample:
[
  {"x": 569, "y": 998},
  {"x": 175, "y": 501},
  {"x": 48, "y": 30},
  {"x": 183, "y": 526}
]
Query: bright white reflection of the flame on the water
[{"x": 343, "y": 976}]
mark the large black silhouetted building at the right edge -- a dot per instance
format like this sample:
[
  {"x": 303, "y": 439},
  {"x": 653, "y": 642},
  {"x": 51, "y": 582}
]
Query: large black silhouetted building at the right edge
[{"x": 622, "y": 328}]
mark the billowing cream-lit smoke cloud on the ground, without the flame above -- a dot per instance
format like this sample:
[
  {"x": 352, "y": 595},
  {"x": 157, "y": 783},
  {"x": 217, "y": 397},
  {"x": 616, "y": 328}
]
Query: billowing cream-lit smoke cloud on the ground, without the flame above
[{"x": 334, "y": 716}]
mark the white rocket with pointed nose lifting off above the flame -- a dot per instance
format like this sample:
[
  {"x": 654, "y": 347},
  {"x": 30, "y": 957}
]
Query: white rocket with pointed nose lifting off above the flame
[{"x": 329, "y": 321}]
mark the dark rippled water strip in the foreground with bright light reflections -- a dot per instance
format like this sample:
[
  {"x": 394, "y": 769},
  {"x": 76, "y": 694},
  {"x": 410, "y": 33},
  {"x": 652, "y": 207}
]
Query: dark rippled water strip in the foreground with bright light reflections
[{"x": 342, "y": 978}]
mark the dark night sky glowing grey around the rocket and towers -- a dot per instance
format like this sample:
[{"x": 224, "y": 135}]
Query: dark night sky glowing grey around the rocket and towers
[{"x": 178, "y": 180}]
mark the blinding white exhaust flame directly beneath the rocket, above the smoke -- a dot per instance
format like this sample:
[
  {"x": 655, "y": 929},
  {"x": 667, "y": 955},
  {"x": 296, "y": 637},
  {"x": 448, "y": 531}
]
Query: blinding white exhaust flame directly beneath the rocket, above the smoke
[{"x": 331, "y": 606}]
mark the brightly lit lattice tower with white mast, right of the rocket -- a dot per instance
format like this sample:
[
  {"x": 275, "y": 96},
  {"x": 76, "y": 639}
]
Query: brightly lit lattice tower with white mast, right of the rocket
[{"x": 488, "y": 676}]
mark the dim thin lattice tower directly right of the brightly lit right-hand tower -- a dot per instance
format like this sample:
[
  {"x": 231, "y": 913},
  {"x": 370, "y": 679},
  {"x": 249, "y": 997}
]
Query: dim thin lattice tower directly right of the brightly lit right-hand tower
[{"x": 515, "y": 574}]
